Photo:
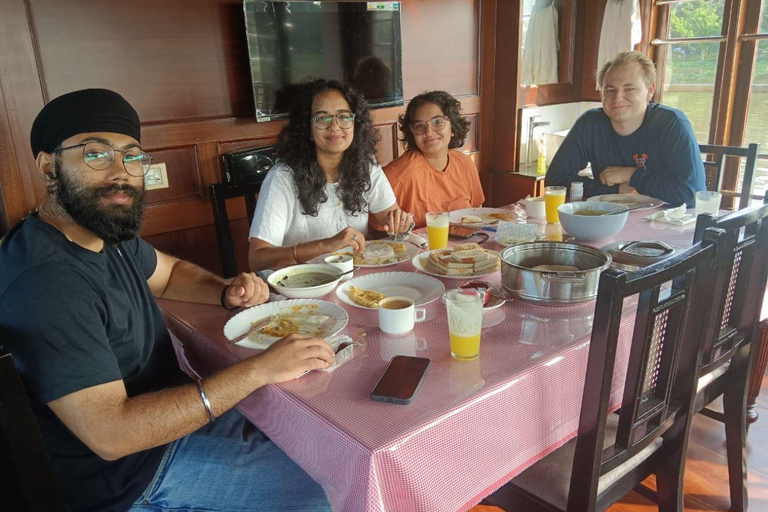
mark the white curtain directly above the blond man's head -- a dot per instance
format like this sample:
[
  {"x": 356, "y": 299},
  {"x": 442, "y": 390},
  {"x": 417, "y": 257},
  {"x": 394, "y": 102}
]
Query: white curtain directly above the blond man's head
[{"x": 622, "y": 29}]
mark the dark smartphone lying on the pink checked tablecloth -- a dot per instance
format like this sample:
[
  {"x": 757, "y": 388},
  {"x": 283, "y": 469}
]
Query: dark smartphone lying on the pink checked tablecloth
[{"x": 400, "y": 380}]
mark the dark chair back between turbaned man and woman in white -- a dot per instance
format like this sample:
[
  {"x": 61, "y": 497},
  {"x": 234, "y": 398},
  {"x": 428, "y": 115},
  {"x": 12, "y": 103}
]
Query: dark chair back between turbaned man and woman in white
[{"x": 219, "y": 195}]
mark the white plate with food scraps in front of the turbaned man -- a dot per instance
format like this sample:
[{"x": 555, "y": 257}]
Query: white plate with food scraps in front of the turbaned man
[{"x": 260, "y": 326}]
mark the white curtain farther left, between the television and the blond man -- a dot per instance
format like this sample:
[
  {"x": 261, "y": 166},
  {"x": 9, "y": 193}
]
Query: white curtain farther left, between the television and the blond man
[{"x": 542, "y": 43}]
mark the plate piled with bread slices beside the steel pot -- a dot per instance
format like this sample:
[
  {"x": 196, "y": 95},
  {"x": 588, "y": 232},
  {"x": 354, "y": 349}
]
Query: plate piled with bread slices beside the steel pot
[{"x": 458, "y": 262}]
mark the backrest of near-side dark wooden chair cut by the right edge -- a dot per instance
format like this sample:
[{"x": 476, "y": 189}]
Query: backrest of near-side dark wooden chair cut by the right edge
[{"x": 738, "y": 281}]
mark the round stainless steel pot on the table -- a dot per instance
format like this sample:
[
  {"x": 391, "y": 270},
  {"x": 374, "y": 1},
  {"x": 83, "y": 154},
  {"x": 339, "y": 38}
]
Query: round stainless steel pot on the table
[{"x": 552, "y": 273}]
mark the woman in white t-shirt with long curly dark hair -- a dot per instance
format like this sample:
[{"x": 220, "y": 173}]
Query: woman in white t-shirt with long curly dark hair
[{"x": 318, "y": 197}]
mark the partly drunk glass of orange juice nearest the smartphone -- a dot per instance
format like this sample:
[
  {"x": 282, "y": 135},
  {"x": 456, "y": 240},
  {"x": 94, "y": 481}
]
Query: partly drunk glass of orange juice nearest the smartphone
[{"x": 465, "y": 319}]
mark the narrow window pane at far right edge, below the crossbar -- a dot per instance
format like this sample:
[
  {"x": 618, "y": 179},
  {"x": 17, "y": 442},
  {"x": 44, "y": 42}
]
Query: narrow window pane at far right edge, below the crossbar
[{"x": 757, "y": 120}]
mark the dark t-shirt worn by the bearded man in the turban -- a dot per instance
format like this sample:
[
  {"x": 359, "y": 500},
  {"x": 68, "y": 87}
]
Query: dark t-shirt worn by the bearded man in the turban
[{"x": 73, "y": 319}]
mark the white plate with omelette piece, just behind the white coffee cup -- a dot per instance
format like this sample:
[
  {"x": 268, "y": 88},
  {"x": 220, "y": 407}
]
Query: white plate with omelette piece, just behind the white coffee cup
[{"x": 367, "y": 291}]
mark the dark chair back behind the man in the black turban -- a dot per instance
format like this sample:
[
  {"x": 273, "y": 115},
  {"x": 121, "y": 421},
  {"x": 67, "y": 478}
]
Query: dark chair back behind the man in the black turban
[{"x": 26, "y": 479}]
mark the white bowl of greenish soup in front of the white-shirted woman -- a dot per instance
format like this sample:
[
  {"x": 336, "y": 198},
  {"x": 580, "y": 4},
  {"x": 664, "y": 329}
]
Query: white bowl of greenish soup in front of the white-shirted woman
[{"x": 307, "y": 281}]
